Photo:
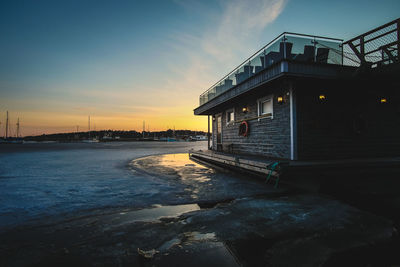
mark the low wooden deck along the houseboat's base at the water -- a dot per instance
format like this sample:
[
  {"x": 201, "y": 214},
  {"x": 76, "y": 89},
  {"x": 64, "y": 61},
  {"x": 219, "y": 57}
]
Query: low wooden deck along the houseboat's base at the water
[{"x": 309, "y": 175}]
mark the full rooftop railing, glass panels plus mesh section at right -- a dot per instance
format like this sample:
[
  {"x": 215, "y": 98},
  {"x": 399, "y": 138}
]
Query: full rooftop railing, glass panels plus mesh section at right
[{"x": 374, "y": 48}]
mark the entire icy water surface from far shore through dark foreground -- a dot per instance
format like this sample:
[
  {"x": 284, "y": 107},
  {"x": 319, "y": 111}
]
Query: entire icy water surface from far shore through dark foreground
[{"x": 151, "y": 196}]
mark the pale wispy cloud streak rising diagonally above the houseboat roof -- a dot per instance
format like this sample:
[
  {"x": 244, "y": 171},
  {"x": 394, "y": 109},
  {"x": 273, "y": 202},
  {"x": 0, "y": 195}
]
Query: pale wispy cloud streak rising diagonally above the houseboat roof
[{"x": 234, "y": 33}]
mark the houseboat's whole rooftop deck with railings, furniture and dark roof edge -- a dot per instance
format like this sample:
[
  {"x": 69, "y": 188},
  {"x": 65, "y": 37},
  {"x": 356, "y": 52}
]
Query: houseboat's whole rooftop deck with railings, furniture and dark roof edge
[{"x": 305, "y": 55}]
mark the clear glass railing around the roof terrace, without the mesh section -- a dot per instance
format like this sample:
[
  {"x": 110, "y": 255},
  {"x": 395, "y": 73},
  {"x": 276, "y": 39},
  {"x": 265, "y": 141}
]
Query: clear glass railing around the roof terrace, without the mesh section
[{"x": 287, "y": 46}]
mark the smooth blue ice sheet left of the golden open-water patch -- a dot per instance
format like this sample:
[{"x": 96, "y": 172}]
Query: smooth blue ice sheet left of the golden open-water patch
[{"x": 48, "y": 179}]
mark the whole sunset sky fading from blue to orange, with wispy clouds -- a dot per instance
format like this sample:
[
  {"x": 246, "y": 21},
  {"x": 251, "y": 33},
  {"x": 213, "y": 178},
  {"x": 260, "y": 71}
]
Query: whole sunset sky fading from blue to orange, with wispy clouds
[{"x": 122, "y": 62}]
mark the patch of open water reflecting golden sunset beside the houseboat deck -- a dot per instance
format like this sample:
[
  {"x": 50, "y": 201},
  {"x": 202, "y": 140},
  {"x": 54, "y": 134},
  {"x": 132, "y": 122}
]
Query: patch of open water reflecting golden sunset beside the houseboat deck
[{"x": 192, "y": 181}]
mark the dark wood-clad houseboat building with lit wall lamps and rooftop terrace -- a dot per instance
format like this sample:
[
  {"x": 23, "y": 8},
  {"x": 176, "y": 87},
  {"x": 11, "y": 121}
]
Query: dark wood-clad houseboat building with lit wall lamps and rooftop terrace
[{"x": 310, "y": 97}]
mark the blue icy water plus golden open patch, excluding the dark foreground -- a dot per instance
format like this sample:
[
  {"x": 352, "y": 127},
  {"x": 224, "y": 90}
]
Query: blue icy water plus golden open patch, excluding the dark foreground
[{"x": 39, "y": 180}]
